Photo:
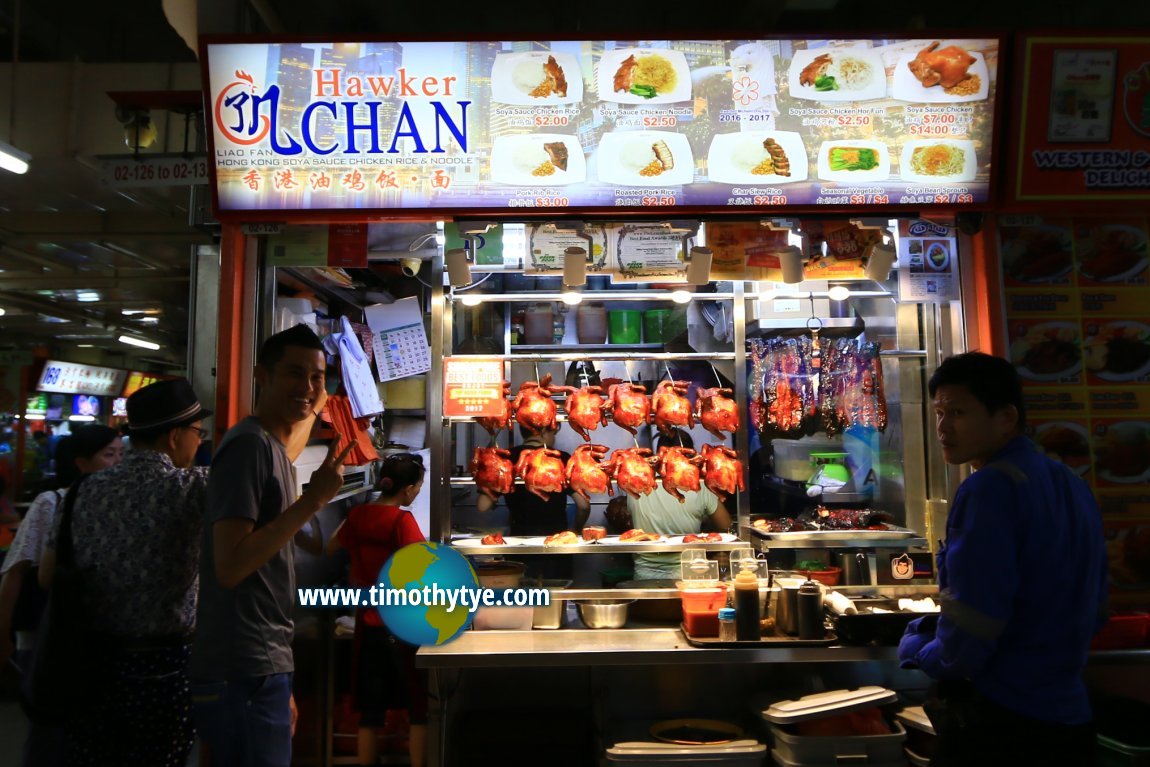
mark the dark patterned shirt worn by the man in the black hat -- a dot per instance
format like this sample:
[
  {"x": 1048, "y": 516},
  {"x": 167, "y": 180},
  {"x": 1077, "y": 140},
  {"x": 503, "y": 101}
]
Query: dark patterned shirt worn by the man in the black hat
[{"x": 140, "y": 526}]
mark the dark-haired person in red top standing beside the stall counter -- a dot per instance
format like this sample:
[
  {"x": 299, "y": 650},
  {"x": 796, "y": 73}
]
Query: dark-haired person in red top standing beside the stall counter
[{"x": 386, "y": 674}]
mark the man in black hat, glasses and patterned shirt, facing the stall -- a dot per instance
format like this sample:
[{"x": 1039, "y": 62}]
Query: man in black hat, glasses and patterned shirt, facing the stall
[{"x": 139, "y": 526}]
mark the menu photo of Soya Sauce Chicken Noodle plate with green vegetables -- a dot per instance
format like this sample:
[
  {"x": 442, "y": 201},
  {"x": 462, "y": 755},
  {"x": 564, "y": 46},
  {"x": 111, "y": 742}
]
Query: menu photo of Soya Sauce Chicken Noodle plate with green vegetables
[{"x": 645, "y": 76}]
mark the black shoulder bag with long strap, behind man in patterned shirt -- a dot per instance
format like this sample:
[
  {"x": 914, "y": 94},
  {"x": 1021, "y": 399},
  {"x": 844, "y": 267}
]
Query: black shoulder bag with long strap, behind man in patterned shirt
[{"x": 65, "y": 670}]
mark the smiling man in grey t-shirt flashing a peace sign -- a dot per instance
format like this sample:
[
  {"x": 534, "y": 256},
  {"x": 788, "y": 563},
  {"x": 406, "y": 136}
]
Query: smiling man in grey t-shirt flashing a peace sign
[{"x": 242, "y": 662}]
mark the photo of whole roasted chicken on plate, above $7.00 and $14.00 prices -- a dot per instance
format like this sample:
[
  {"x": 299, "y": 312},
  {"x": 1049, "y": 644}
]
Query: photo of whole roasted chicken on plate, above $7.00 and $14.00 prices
[{"x": 940, "y": 73}]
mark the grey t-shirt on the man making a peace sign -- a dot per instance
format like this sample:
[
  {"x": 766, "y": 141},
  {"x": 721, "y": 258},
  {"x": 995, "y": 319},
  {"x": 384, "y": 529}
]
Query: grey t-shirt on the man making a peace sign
[{"x": 247, "y": 631}]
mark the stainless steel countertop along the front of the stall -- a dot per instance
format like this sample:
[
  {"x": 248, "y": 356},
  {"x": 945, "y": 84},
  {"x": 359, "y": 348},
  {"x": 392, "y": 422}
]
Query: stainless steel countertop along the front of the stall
[{"x": 617, "y": 648}]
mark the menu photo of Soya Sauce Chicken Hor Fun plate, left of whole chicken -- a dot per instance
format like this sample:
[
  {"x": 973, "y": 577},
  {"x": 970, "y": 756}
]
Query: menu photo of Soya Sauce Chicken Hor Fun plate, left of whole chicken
[{"x": 838, "y": 75}]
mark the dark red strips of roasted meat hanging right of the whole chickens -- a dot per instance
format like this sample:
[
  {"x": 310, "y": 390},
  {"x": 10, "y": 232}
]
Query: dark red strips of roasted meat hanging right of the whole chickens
[{"x": 802, "y": 386}]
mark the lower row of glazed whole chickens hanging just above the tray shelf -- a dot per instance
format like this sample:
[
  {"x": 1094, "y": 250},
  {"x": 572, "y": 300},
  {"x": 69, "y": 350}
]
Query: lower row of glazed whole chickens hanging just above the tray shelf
[{"x": 589, "y": 471}]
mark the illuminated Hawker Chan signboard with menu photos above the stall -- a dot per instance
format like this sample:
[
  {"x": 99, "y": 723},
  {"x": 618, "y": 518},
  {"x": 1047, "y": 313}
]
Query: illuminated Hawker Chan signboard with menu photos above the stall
[{"x": 600, "y": 126}]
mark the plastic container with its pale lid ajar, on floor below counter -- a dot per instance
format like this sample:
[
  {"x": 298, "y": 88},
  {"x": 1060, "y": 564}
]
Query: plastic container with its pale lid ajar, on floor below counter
[{"x": 791, "y": 749}]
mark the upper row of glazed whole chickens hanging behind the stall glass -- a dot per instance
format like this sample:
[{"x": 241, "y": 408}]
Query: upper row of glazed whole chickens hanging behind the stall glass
[{"x": 628, "y": 405}]
